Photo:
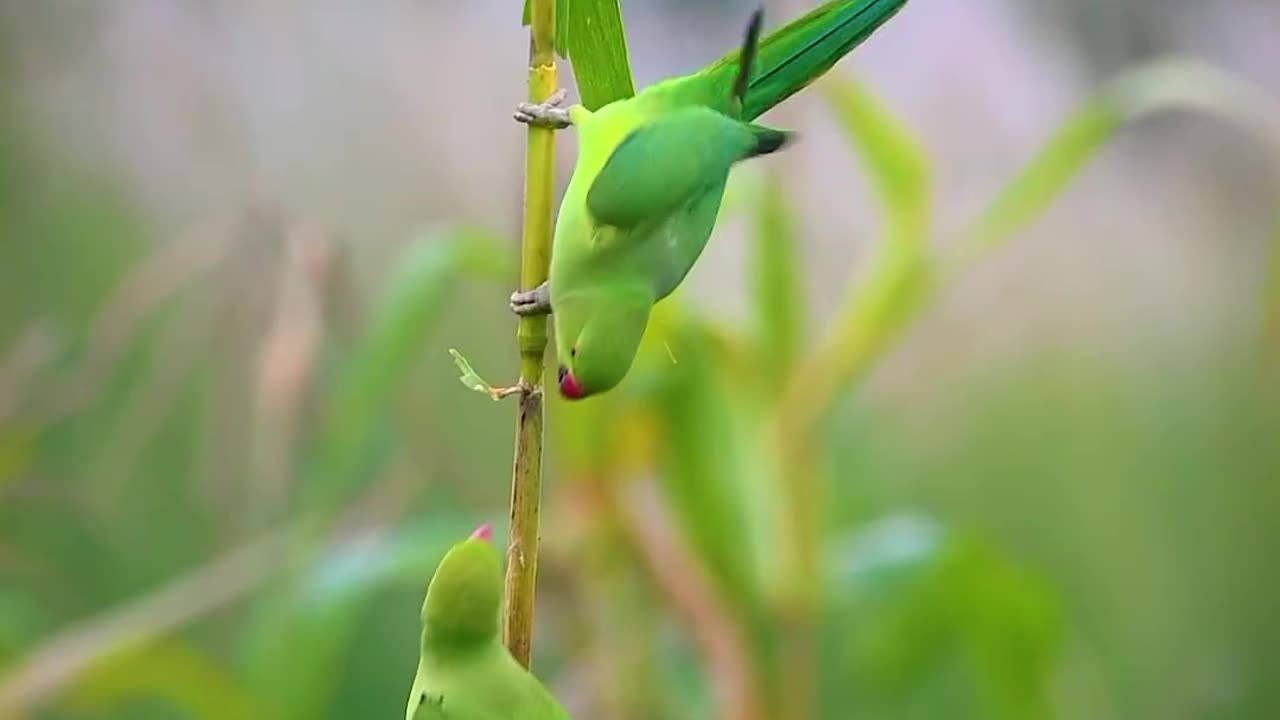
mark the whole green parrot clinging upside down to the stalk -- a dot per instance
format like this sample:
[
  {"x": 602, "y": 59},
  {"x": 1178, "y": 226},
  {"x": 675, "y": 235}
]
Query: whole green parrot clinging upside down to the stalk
[{"x": 650, "y": 179}]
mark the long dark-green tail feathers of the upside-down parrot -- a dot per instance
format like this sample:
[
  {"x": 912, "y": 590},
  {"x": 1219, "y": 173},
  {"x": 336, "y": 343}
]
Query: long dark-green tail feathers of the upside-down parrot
[{"x": 799, "y": 53}]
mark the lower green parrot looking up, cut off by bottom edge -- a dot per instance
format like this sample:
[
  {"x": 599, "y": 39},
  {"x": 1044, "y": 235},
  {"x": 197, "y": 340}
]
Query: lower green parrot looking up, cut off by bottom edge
[{"x": 465, "y": 673}]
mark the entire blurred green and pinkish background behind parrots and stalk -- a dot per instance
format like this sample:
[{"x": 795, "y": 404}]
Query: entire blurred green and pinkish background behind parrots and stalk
[{"x": 237, "y": 239}]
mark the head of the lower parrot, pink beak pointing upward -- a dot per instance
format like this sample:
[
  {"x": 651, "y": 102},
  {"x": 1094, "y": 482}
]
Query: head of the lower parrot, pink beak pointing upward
[{"x": 465, "y": 594}]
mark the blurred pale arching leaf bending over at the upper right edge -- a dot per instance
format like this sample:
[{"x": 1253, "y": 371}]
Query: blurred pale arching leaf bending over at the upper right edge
[{"x": 1158, "y": 88}]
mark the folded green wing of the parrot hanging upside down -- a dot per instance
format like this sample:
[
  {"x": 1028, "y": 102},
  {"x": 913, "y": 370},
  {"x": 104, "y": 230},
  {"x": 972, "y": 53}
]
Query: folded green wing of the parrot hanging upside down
[{"x": 662, "y": 165}]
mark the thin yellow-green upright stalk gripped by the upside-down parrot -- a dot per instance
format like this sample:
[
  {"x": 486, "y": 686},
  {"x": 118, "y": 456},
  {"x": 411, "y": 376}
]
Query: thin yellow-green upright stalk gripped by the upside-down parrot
[{"x": 527, "y": 477}]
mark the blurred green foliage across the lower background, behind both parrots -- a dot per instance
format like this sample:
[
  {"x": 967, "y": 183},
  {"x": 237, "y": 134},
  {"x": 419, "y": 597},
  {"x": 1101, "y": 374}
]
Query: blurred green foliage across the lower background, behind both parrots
[{"x": 1080, "y": 537}]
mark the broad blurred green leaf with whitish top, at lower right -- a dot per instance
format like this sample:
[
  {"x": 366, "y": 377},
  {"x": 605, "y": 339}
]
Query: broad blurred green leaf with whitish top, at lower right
[{"x": 929, "y": 623}]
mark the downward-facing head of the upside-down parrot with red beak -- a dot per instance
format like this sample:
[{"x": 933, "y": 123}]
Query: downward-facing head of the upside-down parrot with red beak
[{"x": 597, "y": 338}]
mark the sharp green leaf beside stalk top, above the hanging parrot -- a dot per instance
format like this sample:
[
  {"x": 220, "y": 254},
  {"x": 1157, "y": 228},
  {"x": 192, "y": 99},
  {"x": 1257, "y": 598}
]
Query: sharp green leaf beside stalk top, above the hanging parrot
[{"x": 598, "y": 51}]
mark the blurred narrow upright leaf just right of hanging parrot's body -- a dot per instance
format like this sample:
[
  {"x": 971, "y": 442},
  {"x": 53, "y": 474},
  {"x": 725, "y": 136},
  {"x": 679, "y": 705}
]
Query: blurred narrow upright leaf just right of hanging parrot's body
[{"x": 778, "y": 288}]
